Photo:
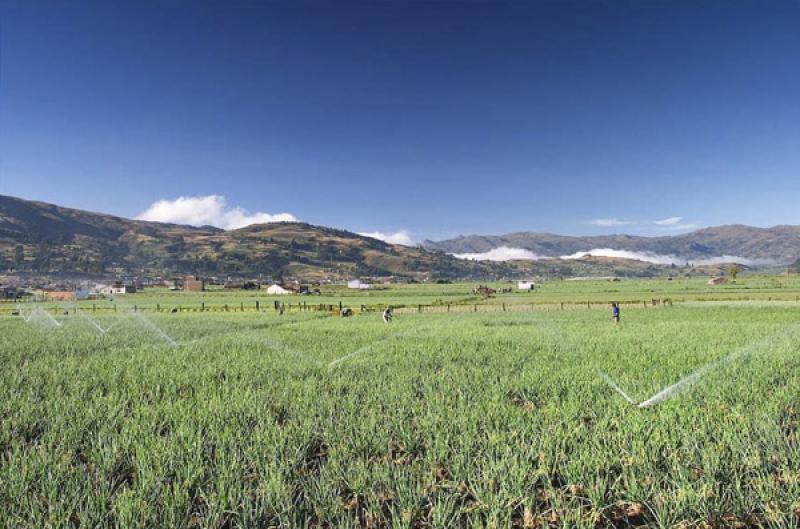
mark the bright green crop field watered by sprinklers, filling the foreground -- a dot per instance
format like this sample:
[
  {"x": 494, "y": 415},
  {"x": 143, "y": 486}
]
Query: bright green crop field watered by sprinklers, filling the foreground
[{"x": 474, "y": 418}]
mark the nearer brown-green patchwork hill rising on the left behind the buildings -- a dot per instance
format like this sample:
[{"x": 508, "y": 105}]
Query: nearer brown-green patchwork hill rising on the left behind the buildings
[{"x": 49, "y": 239}]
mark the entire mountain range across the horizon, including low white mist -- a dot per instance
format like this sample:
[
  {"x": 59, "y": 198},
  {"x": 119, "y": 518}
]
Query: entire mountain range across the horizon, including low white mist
[{"x": 46, "y": 239}]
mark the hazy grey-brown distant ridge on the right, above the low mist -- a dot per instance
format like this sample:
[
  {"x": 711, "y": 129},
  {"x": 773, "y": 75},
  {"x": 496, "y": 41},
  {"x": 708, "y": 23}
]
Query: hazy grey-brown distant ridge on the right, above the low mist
[{"x": 755, "y": 246}]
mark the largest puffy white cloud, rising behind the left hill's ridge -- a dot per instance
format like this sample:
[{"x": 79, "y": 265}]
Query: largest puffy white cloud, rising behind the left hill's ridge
[{"x": 210, "y": 210}]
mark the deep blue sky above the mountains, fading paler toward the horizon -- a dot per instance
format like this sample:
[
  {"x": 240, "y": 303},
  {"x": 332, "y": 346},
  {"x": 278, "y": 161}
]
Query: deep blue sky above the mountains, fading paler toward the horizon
[{"x": 434, "y": 118}]
